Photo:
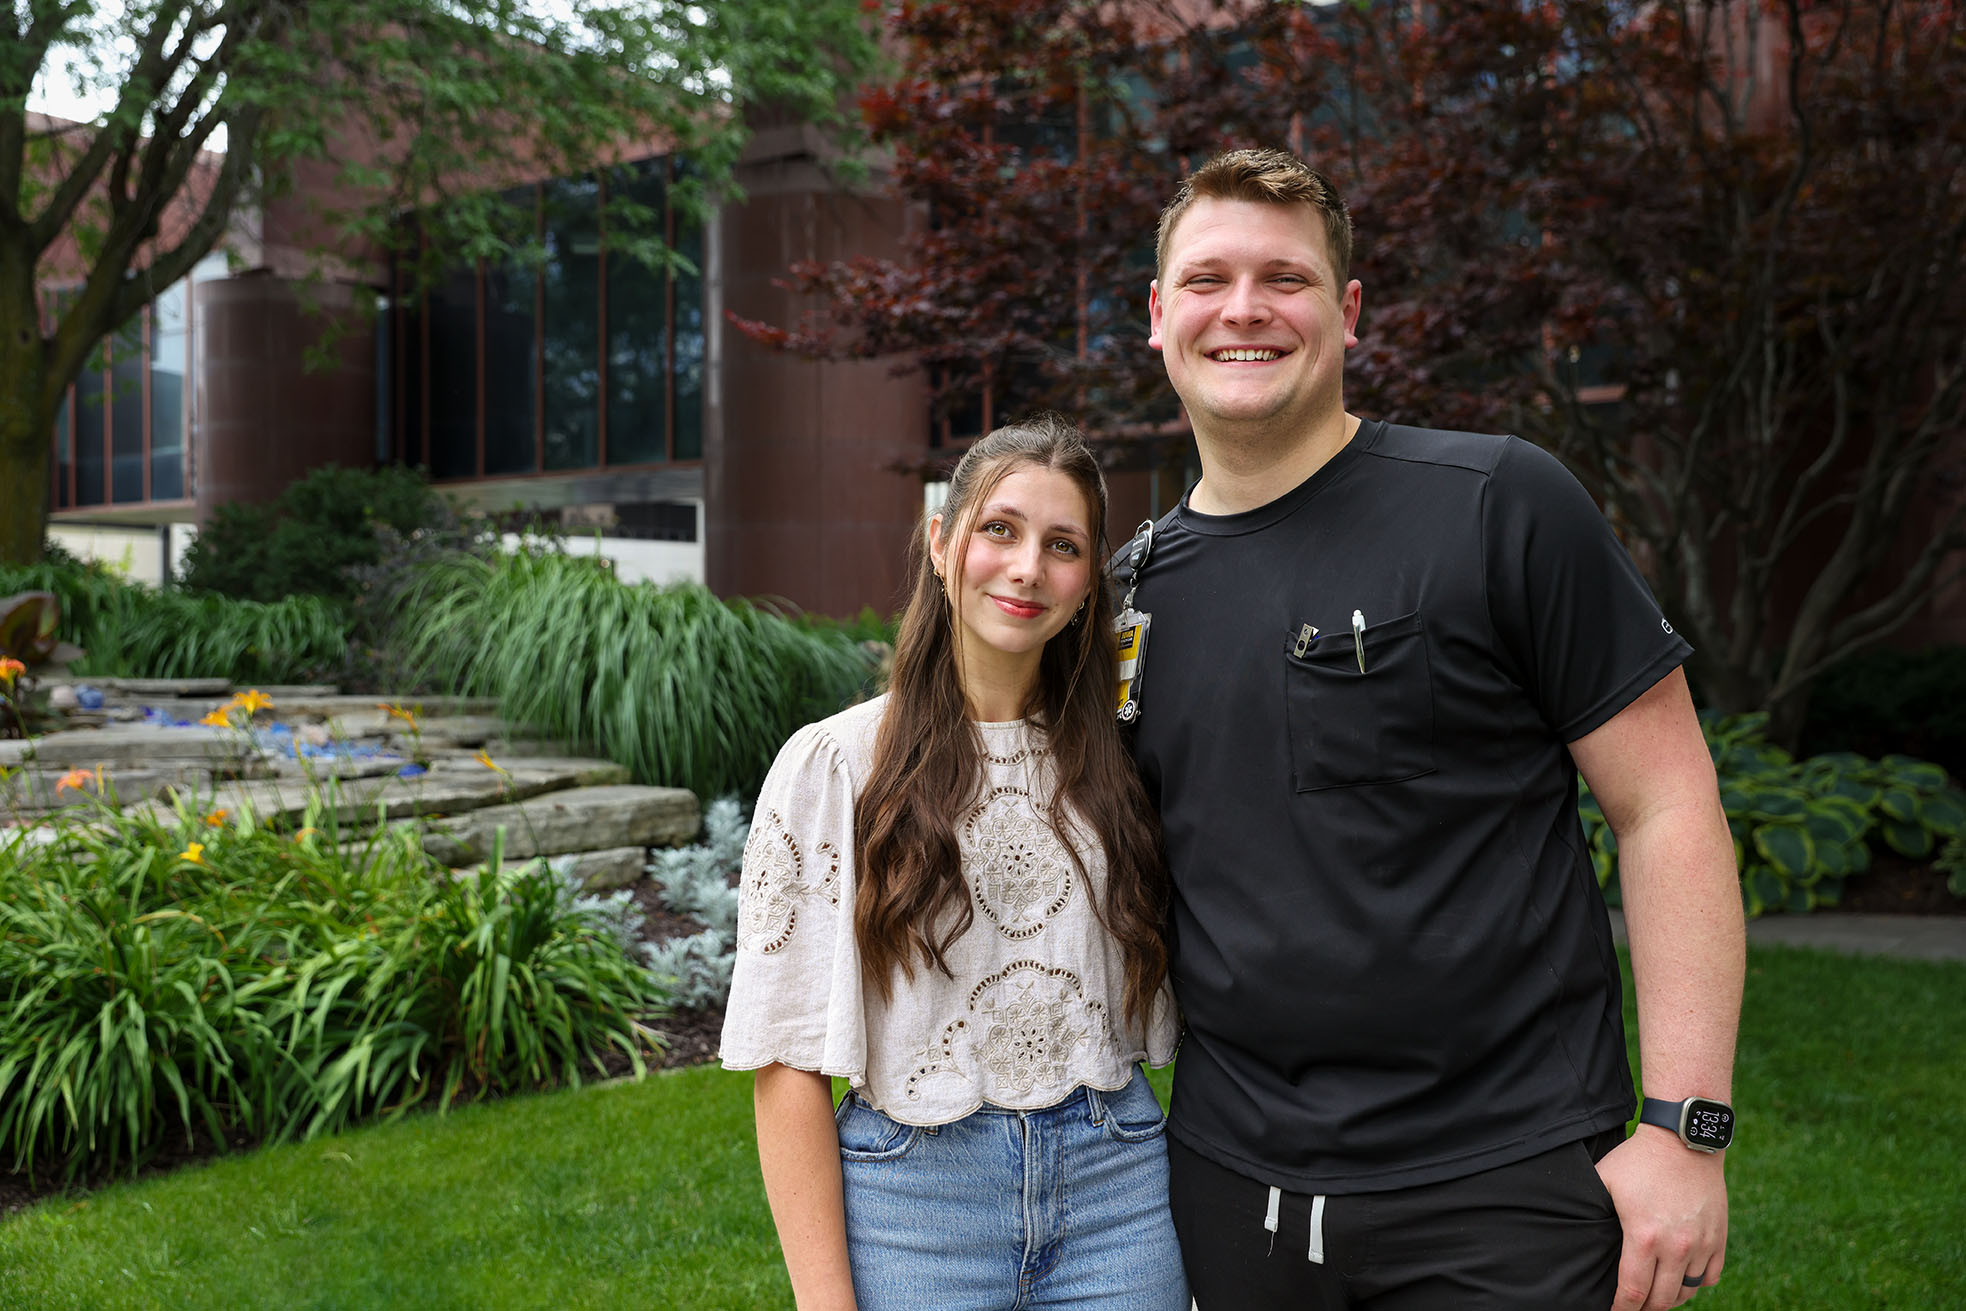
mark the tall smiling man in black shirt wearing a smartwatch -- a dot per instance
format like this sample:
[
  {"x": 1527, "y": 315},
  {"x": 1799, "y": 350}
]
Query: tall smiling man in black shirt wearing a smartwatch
[{"x": 1377, "y": 659}]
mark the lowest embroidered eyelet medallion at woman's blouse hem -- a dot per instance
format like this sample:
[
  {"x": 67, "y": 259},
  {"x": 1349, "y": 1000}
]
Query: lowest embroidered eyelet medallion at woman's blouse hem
[{"x": 1029, "y": 1021}]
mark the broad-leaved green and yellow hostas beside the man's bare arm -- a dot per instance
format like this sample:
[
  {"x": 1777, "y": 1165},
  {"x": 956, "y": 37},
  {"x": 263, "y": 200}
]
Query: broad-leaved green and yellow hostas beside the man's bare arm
[{"x": 1802, "y": 828}]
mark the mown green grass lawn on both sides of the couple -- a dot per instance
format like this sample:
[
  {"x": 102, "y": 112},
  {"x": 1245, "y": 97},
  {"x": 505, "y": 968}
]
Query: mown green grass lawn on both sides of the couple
[{"x": 1845, "y": 1186}]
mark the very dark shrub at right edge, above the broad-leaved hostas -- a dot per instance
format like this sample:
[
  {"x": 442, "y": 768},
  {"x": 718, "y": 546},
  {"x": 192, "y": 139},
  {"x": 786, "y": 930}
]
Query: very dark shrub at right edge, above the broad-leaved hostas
[{"x": 1892, "y": 701}]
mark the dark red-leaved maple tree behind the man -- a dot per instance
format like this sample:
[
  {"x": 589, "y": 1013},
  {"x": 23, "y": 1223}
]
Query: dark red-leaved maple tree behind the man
[{"x": 1711, "y": 255}]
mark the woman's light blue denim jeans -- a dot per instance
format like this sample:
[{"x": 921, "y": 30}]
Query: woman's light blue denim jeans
[{"x": 1012, "y": 1210}]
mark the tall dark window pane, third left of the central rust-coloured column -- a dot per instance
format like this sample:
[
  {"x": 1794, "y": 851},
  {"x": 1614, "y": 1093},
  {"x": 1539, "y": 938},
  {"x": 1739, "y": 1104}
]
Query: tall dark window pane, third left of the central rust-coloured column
[{"x": 571, "y": 329}]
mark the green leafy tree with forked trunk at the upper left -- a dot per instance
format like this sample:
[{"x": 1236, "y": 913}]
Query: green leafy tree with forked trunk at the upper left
[{"x": 408, "y": 103}]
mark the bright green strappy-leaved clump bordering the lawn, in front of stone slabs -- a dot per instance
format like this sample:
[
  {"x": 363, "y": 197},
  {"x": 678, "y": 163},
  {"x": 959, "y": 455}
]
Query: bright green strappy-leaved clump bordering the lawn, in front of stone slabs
[{"x": 202, "y": 974}]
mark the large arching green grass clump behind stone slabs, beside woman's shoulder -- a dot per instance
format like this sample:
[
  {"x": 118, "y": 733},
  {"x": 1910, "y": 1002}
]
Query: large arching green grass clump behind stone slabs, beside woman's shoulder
[{"x": 669, "y": 681}]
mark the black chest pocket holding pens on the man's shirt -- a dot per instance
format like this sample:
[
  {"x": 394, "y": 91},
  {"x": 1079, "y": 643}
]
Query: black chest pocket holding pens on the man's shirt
[{"x": 1350, "y": 728}]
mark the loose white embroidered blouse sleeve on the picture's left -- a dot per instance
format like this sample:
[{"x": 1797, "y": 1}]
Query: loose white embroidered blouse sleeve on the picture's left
[{"x": 797, "y": 982}]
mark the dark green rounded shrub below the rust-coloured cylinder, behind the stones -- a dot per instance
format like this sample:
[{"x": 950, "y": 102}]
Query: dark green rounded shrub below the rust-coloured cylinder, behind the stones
[{"x": 308, "y": 541}]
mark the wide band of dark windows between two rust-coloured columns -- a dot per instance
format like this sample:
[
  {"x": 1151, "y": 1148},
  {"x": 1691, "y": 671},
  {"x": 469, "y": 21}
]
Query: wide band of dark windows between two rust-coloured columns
[{"x": 593, "y": 361}]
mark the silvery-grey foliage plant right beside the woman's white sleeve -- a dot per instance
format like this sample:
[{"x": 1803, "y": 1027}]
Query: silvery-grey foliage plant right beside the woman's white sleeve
[{"x": 699, "y": 882}]
